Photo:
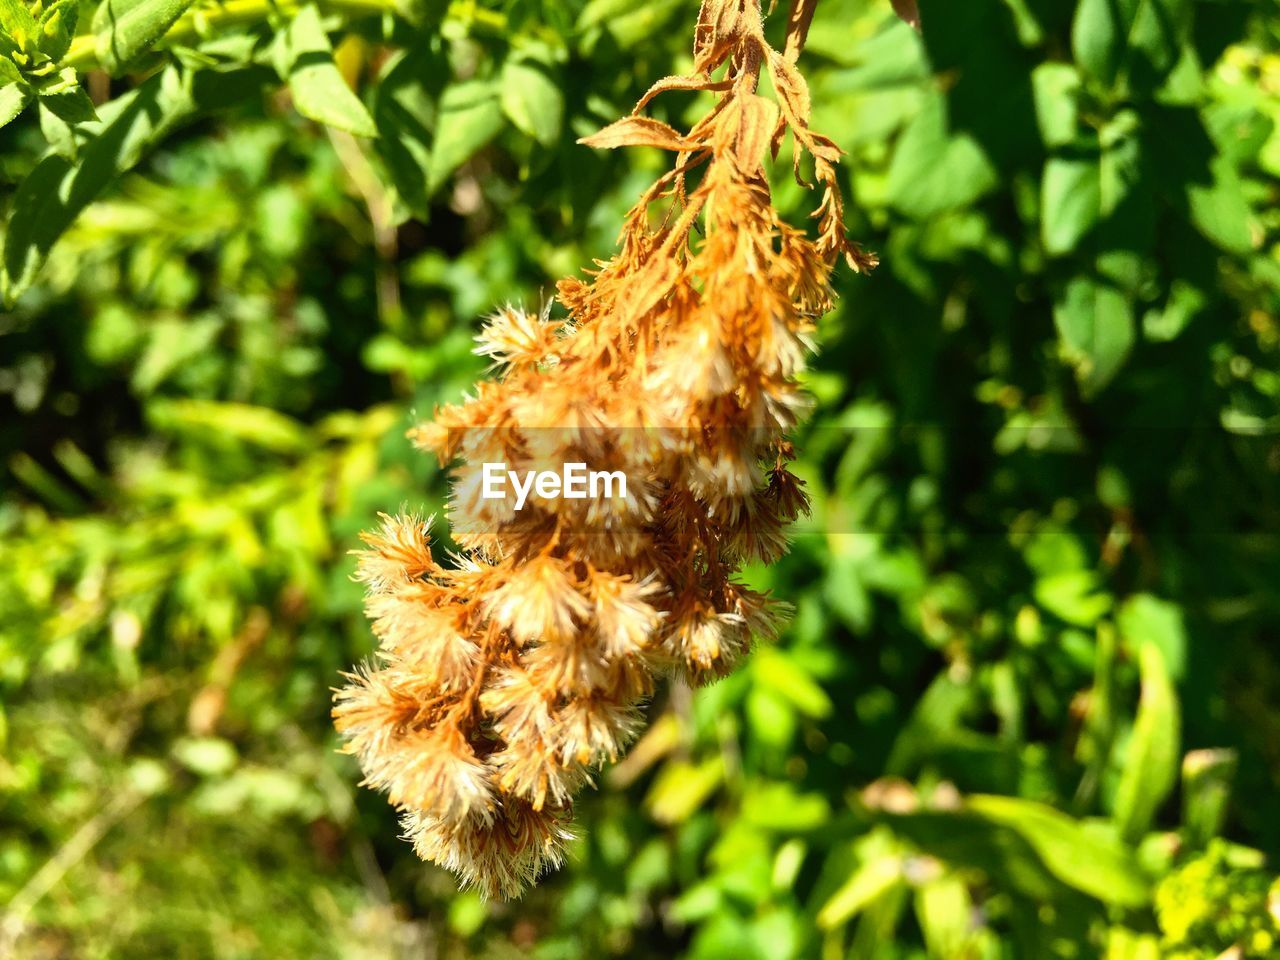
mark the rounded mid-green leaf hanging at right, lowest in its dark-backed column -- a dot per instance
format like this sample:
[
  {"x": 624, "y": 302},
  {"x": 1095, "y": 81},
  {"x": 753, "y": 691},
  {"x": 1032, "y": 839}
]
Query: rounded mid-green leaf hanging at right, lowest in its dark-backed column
[{"x": 1096, "y": 326}]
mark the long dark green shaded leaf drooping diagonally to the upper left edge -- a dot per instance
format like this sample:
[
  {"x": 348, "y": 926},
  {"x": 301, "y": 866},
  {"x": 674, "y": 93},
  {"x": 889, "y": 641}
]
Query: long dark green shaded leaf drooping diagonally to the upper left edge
[{"x": 57, "y": 190}]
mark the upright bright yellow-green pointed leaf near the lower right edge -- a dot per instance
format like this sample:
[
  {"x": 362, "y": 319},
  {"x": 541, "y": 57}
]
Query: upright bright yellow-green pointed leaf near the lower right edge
[{"x": 1150, "y": 767}]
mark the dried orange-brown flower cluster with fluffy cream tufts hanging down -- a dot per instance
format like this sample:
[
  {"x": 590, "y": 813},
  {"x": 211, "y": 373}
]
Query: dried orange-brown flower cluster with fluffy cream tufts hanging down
[{"x": 505, "y": 678}]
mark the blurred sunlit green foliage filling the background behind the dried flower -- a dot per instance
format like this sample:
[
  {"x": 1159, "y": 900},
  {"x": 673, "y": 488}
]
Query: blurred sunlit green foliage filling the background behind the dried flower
[{"x": 1028, "y": 706}]
